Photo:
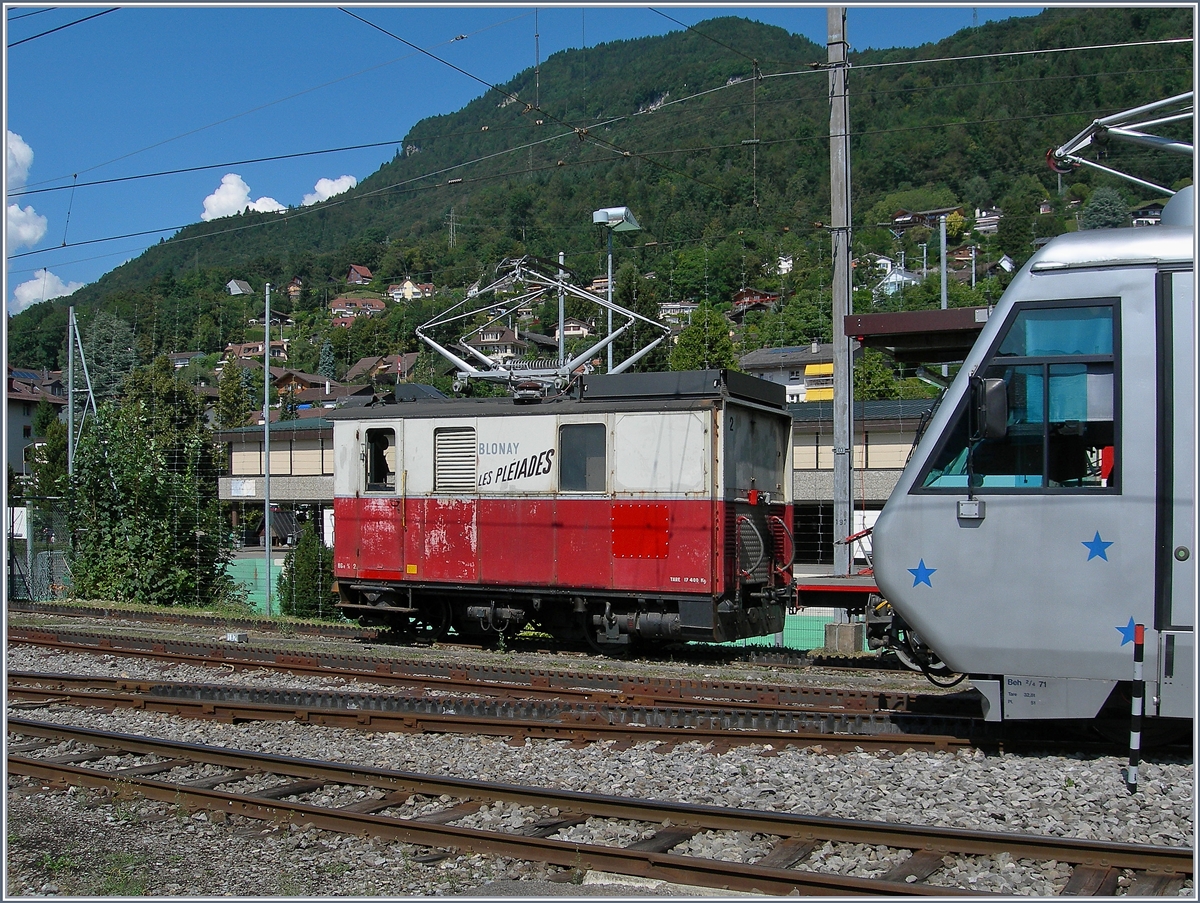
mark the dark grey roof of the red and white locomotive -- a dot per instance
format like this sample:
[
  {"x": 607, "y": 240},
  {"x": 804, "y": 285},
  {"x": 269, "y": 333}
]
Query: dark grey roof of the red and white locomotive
[{"x": 689, "y": 391}]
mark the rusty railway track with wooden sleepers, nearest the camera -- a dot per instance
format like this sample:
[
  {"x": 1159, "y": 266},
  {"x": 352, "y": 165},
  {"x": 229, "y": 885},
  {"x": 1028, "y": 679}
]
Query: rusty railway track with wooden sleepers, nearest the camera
[{"x": 441, "y": 814}]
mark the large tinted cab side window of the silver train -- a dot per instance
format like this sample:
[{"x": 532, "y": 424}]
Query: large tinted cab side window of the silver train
[{"x": 1059, "y": 370}]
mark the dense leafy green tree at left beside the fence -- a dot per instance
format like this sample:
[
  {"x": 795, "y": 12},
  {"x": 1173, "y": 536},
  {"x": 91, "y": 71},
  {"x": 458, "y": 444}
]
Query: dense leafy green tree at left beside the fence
[{"x": 146, "y": 516}]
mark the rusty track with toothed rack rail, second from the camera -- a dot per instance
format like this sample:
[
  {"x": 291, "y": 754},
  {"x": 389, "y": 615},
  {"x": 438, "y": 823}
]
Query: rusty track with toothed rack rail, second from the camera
[{"x": 389, "y": 713}]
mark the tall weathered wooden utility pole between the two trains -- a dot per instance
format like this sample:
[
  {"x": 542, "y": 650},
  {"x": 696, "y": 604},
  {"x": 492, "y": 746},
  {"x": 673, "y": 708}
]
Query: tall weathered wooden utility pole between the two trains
[{"x": 843, "y": 378}]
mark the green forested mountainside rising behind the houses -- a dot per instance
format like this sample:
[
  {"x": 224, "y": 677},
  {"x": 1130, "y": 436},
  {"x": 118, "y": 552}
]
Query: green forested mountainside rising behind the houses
[{"x": 727, "y": 172}]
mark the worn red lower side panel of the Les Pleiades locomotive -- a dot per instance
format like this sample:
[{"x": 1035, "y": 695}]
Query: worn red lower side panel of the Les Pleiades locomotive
[{"x": 667, "y": 546}]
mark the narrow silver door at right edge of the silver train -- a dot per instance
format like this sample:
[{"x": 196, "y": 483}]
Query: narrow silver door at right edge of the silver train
[{"x": 1175, "y": 559}]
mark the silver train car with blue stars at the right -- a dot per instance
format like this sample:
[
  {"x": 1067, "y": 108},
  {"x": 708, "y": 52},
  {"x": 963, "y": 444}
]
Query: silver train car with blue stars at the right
[{"x": 1051, "y": 506}]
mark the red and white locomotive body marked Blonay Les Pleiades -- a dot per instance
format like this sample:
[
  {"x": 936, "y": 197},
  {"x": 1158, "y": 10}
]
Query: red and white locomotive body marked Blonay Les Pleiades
[{"x": 651, "y": 506}]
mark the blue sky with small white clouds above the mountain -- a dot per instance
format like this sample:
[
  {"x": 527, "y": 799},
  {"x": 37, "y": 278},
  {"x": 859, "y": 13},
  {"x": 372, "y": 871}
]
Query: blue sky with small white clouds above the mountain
[{"x": 149, "y": 89}]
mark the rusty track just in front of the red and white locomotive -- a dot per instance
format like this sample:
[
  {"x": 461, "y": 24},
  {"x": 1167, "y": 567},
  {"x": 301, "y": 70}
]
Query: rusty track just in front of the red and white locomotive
[{"x": 500, "y": 681}]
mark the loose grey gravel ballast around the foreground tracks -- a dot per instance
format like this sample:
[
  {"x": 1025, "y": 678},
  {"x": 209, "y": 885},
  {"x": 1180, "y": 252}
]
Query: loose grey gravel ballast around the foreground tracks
[{"x": 63, "y": 842}]
